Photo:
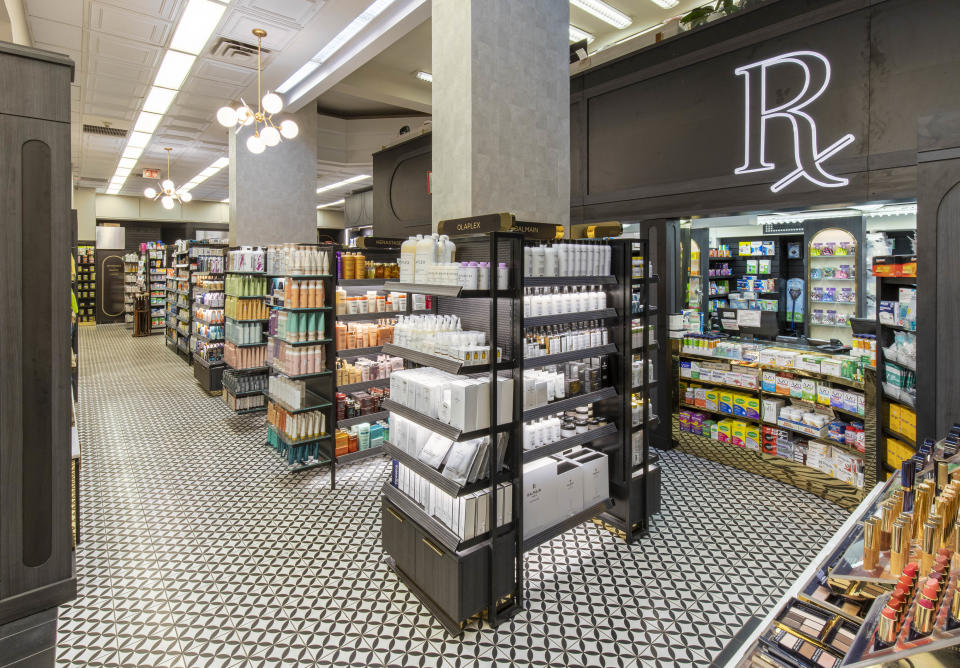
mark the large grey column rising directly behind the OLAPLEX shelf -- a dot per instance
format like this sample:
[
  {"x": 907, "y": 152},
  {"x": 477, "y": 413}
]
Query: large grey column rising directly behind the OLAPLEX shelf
[{"x": 501, "y": 109}]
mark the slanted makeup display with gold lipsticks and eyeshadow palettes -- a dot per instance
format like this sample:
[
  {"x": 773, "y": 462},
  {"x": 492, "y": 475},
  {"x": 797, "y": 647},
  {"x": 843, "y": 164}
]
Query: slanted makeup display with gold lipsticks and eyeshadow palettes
[{"x": 884, "y": 590}]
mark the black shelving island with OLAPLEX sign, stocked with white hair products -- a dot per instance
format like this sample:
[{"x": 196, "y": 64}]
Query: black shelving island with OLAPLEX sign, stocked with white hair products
[{"x": 548, "y": 360}]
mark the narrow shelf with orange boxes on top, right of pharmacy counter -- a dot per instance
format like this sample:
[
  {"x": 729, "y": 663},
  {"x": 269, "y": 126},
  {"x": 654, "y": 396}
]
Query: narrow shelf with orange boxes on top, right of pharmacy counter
[{"x": 896, "y": 327}]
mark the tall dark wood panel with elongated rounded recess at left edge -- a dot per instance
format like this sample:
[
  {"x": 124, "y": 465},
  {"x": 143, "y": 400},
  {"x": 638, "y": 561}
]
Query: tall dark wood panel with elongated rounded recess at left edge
[{"x": 36, "y": 553}]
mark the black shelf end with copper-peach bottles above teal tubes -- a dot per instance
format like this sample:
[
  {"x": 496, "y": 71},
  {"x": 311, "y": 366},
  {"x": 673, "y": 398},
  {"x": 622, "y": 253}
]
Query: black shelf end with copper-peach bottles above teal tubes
[{"x": 319, "y": 384}]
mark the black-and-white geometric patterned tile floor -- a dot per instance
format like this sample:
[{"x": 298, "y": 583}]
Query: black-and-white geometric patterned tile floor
[{"x": 199, "y": 549}]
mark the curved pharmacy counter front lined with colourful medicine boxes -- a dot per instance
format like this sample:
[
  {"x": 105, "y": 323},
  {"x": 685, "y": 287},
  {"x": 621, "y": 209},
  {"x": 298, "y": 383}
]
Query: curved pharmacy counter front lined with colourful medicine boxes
[{"x": 795, "y": 413}]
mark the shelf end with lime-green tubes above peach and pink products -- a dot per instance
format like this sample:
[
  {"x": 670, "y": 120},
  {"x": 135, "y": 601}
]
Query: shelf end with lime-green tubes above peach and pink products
[{"x": 244, "y": 384}]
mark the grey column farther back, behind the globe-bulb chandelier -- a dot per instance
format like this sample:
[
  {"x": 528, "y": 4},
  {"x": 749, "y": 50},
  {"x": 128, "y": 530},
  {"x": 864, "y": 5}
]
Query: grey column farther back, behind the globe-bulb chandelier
[{"x": 273, "y": 195}]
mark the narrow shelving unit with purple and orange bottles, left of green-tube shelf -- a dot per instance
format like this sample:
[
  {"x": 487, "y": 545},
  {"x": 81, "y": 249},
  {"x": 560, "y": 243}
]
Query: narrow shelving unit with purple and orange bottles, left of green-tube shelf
[{"x": 206, "y": 311}]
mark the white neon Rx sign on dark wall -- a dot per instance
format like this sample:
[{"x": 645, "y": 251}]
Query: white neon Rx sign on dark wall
[{"x": 808, "y": 156}]
